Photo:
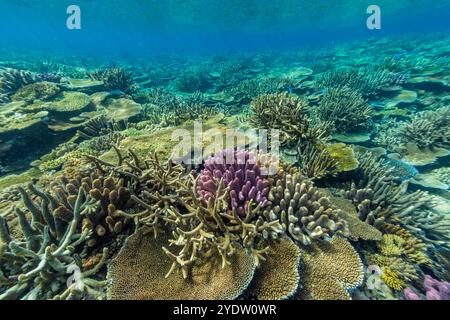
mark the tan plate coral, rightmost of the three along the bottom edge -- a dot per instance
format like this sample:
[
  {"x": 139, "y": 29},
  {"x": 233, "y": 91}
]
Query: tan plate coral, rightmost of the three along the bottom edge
[{"x": 329, "y": 270}]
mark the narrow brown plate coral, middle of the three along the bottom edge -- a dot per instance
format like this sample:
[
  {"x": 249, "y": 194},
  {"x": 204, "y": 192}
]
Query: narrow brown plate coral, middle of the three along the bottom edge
[{"x": 278, "y": 276}]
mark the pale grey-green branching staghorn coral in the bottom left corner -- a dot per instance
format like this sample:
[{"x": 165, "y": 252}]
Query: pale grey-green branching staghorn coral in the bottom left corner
[{"x": 35, "y": 265}]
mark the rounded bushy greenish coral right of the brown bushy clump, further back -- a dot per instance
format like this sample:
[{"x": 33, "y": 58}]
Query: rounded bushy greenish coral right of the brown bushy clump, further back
[{"x": 345, "y": 109}]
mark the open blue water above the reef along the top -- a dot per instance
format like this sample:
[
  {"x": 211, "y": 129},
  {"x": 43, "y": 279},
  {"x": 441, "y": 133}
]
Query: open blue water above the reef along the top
[{"x": 145, "y": 27}]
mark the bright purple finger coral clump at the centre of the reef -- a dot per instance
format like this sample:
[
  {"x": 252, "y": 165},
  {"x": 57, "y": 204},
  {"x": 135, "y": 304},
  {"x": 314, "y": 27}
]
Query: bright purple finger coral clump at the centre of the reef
[{"x": 239, "y": 171}]
